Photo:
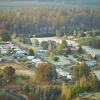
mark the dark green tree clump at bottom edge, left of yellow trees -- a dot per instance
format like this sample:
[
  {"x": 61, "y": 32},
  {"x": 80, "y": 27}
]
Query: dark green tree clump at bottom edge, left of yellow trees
[{"x": 47, "y": 93}]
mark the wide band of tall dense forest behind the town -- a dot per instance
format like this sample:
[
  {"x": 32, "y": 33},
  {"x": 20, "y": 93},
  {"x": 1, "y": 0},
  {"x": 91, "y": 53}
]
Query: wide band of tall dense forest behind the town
[{"x": 41, "y": 19}]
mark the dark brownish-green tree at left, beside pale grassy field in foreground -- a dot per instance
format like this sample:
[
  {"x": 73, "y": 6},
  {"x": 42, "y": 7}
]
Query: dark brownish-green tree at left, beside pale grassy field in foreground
[{"x": 9, "y": 73}]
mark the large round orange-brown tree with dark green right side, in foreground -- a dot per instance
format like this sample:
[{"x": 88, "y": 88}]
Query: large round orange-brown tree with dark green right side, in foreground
[{"x": 44, "y": 73}]
